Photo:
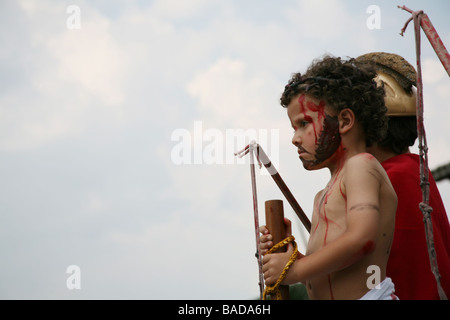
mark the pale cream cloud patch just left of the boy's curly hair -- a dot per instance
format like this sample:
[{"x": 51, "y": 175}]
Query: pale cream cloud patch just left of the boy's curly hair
[{"x": 231, "y": 95}]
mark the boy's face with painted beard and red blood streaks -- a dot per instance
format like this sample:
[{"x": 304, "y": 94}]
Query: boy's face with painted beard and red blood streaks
[{"x": 316, "y": 130}]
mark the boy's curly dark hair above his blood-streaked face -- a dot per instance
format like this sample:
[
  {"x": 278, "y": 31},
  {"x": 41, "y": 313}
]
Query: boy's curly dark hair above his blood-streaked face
[{"x": 344, "y": 84}]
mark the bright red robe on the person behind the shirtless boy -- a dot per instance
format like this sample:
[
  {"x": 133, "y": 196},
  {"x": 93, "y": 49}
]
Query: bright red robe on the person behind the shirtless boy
[{"x": 409, "y": 263}]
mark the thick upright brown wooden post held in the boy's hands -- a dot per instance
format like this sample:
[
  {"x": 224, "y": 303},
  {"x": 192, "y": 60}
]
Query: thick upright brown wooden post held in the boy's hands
[{"x": 275, "y": 224}]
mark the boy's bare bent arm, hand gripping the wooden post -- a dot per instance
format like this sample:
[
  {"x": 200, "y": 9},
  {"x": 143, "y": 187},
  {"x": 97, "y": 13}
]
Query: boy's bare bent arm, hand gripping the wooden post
[{"x": 362, "y": 184}]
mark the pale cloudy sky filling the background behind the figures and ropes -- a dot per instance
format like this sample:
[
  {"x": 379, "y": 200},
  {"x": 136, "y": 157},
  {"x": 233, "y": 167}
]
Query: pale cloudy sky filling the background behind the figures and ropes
[{"x": 118, "y": 120}]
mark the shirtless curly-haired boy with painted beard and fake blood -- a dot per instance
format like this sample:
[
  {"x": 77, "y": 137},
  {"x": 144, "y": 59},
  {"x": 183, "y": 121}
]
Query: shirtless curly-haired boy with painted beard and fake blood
[{"x": 336, "y": 111}]
